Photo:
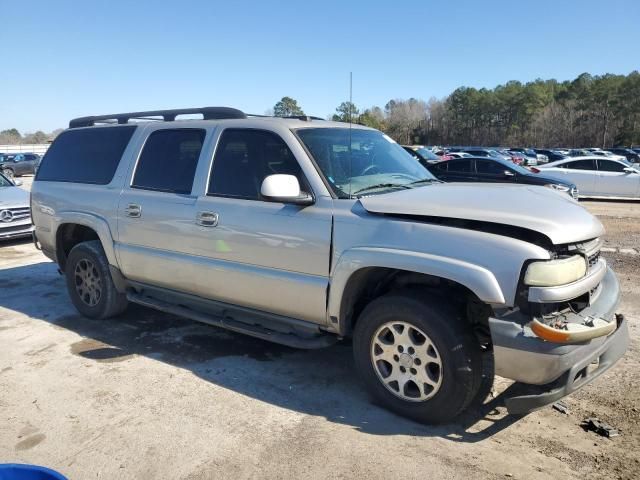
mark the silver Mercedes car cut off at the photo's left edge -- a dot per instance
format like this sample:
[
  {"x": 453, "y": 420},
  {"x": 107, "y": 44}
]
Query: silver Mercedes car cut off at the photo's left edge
[{"x": 15, "y": 212}]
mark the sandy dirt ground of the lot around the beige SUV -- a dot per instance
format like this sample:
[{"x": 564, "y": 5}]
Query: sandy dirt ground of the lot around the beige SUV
[{"x": 150, "y": 395}]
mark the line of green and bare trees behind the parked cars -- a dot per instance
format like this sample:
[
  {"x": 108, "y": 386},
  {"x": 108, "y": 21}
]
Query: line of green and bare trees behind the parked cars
[{"x": 601, "y": 111}]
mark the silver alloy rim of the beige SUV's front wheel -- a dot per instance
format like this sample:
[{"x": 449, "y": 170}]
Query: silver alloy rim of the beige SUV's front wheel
[{"x": 406, "y": 361}]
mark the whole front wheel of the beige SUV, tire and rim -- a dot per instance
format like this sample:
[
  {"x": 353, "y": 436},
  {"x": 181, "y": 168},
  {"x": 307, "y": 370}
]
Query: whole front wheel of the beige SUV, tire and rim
[{"x": 417, "y": 358}]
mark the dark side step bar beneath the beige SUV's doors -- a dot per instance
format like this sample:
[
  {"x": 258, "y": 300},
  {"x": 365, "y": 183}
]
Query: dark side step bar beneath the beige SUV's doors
[{"x": 318, "y": 340}]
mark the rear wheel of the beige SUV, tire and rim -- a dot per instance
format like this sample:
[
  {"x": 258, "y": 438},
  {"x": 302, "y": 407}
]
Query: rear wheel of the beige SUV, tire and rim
[{"x": 89, "y": 282}]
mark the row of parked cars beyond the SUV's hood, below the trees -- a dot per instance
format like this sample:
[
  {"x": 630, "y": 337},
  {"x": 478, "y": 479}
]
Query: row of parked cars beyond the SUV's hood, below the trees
[{"x": 584, "y": 172}]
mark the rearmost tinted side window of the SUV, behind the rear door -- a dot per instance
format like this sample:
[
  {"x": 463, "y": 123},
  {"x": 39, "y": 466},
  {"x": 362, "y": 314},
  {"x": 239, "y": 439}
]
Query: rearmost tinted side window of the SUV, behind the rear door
[{"x": 88, "y": 155}]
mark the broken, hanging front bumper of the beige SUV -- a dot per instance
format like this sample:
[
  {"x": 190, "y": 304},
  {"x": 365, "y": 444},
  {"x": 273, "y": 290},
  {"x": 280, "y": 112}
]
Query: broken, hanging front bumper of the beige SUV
[{"x": 549, "y": 371}]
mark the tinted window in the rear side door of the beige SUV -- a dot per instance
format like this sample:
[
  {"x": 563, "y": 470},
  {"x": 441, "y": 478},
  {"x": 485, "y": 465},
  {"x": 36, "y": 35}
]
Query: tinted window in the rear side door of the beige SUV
[{"x": 169, "y": 159}]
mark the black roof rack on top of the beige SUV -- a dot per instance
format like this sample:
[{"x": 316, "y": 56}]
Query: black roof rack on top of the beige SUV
[{"x": 208, "y": 113}]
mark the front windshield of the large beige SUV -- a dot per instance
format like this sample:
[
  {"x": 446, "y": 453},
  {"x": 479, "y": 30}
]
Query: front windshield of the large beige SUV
[{"x": 371, "y": 163}]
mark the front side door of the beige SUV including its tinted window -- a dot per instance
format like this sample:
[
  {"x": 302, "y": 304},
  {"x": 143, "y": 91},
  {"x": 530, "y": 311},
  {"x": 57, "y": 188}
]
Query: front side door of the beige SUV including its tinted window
[{"x": 263, "y": 255}]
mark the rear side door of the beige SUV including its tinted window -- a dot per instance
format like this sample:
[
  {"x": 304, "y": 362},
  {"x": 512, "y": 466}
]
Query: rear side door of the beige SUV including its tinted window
[{"x": 157, "y": 211}]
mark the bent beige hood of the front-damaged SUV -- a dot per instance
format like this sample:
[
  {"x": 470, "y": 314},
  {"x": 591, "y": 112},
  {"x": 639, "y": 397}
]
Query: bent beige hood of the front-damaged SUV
[{"x": 553, "y": 214}]
